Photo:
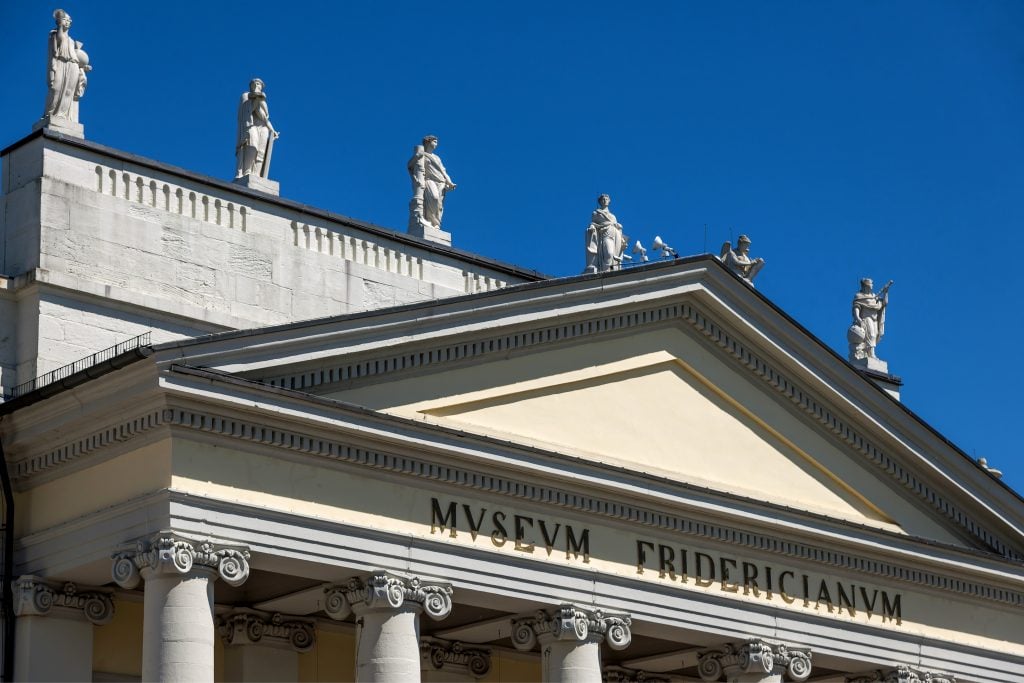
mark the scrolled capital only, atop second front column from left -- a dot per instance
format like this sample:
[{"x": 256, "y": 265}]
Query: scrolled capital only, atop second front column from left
[{"x": 385, "y": 591}]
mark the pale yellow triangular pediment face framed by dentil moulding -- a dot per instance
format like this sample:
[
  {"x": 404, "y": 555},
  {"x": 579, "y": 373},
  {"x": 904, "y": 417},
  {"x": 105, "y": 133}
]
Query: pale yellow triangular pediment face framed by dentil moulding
[{"x": 660, "y": 403}]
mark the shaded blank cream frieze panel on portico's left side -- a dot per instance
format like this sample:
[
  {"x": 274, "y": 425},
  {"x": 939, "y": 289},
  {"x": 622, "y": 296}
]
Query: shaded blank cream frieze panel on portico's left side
[{"x": 80, "y": 493}]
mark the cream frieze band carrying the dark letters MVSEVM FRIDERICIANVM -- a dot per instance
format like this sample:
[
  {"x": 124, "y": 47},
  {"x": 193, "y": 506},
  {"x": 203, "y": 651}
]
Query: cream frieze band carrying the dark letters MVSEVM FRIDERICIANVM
[{"x": 333, "y": 494}]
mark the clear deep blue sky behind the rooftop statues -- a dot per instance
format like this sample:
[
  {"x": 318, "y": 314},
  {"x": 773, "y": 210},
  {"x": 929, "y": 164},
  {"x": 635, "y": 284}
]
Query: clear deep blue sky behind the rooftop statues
[{"x": 847, "y": 139}]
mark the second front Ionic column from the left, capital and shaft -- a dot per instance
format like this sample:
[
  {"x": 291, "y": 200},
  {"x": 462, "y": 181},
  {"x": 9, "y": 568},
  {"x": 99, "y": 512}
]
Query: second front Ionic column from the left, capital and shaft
[{"x": 388, "y": 610}]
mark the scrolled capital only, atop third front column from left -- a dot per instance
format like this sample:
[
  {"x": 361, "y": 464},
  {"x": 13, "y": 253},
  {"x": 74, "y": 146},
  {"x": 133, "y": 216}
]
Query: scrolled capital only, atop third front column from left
[{"x": 572, "y": 623}]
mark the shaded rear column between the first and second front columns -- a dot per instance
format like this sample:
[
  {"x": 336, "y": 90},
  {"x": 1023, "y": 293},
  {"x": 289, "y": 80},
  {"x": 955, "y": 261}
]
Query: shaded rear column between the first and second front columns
[{"x": 264, "y": 648}]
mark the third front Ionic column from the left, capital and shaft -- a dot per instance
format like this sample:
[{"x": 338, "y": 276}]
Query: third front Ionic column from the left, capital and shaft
[{"x": 571, "y": 642}]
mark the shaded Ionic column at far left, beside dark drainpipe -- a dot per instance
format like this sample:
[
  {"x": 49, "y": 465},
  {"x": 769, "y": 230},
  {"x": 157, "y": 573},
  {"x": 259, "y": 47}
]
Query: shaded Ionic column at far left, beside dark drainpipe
[{"x": 54, "y": 629}]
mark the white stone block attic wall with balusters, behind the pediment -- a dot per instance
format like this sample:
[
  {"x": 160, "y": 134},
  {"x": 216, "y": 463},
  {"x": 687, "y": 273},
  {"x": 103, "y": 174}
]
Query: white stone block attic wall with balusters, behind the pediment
[{"x": 99, "y": 246}]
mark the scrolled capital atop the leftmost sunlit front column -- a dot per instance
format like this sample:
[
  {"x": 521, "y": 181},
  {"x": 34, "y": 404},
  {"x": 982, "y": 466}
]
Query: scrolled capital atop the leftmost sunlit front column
[{"x": 168, "y": 552}]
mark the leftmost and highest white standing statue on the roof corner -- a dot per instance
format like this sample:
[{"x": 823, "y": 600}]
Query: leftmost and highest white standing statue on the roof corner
[{"x": 67, "y": 68}]
